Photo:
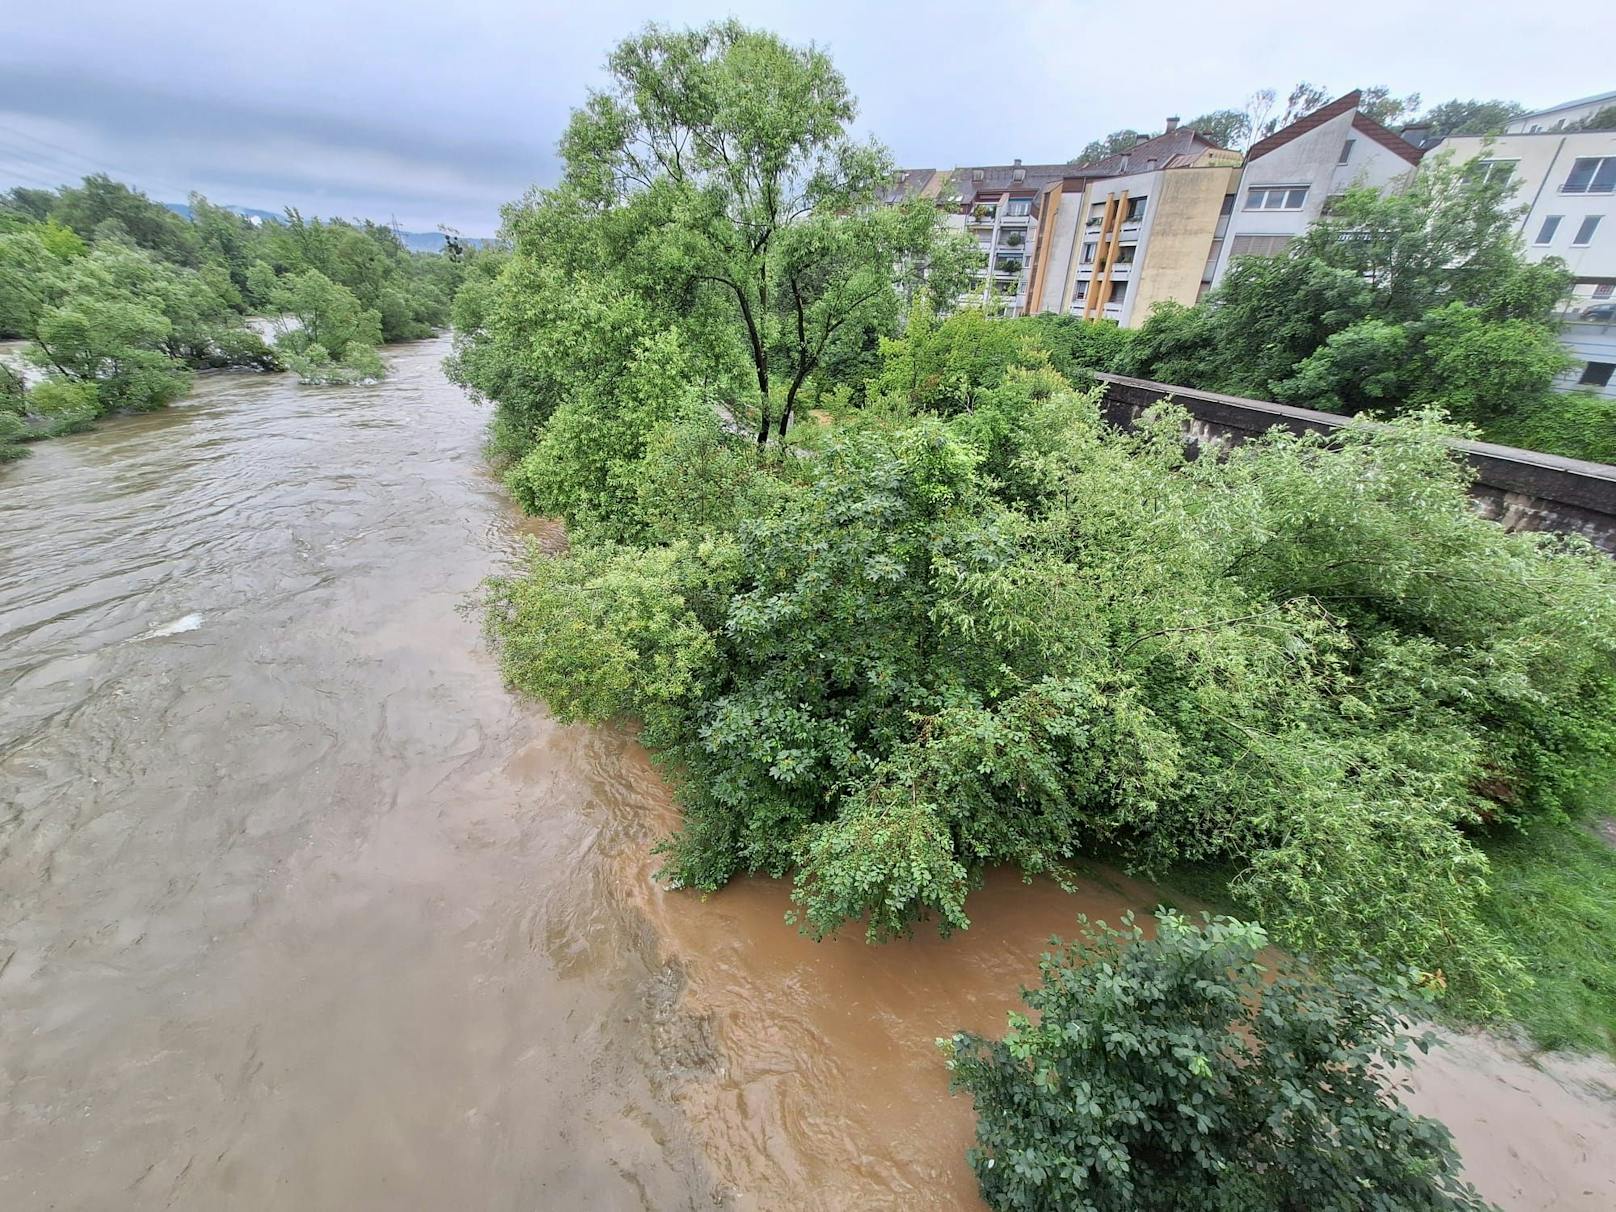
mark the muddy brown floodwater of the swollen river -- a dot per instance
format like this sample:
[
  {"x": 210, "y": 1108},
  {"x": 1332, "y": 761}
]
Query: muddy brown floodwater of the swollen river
[{"x": 301, "y": 911}]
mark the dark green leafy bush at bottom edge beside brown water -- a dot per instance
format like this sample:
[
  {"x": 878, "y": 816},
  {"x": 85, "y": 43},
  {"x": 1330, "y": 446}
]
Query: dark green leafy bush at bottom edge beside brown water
[{"x": 1172, "y": 1072}]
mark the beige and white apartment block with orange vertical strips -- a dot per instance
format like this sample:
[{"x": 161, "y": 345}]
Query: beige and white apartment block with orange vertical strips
[{"x": 1122, "y": 234}]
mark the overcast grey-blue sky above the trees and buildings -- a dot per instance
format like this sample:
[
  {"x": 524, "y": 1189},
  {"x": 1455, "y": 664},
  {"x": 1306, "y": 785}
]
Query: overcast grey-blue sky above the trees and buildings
[{"x": 444, "y": 112}]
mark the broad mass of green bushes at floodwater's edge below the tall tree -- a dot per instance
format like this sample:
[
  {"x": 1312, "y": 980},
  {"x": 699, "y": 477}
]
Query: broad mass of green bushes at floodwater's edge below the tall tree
[{"x": 1009, "y": 638}]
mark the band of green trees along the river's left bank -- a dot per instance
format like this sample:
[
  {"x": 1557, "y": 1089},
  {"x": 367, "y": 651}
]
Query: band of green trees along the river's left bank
[{"x": 122, "y": 301}]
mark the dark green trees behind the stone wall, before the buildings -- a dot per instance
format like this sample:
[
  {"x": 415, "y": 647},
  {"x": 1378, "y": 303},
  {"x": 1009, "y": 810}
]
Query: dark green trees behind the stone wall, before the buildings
[{"x": 1389, "y": 306}]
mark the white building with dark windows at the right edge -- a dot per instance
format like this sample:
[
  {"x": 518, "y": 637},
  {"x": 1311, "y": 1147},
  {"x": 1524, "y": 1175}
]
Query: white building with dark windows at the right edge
[{"x": 1565, "y": 183}]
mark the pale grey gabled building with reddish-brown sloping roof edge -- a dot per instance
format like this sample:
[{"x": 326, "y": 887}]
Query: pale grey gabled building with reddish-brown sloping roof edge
[{"x": 1290, "y": 177}]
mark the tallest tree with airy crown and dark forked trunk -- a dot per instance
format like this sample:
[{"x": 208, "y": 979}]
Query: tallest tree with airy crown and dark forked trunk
[{"x": 722, "y": 170}]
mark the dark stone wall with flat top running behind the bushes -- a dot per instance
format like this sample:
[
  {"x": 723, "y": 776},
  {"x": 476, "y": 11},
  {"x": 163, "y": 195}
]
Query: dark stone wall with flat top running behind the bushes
[{"x": 1523, "y": 490}]
